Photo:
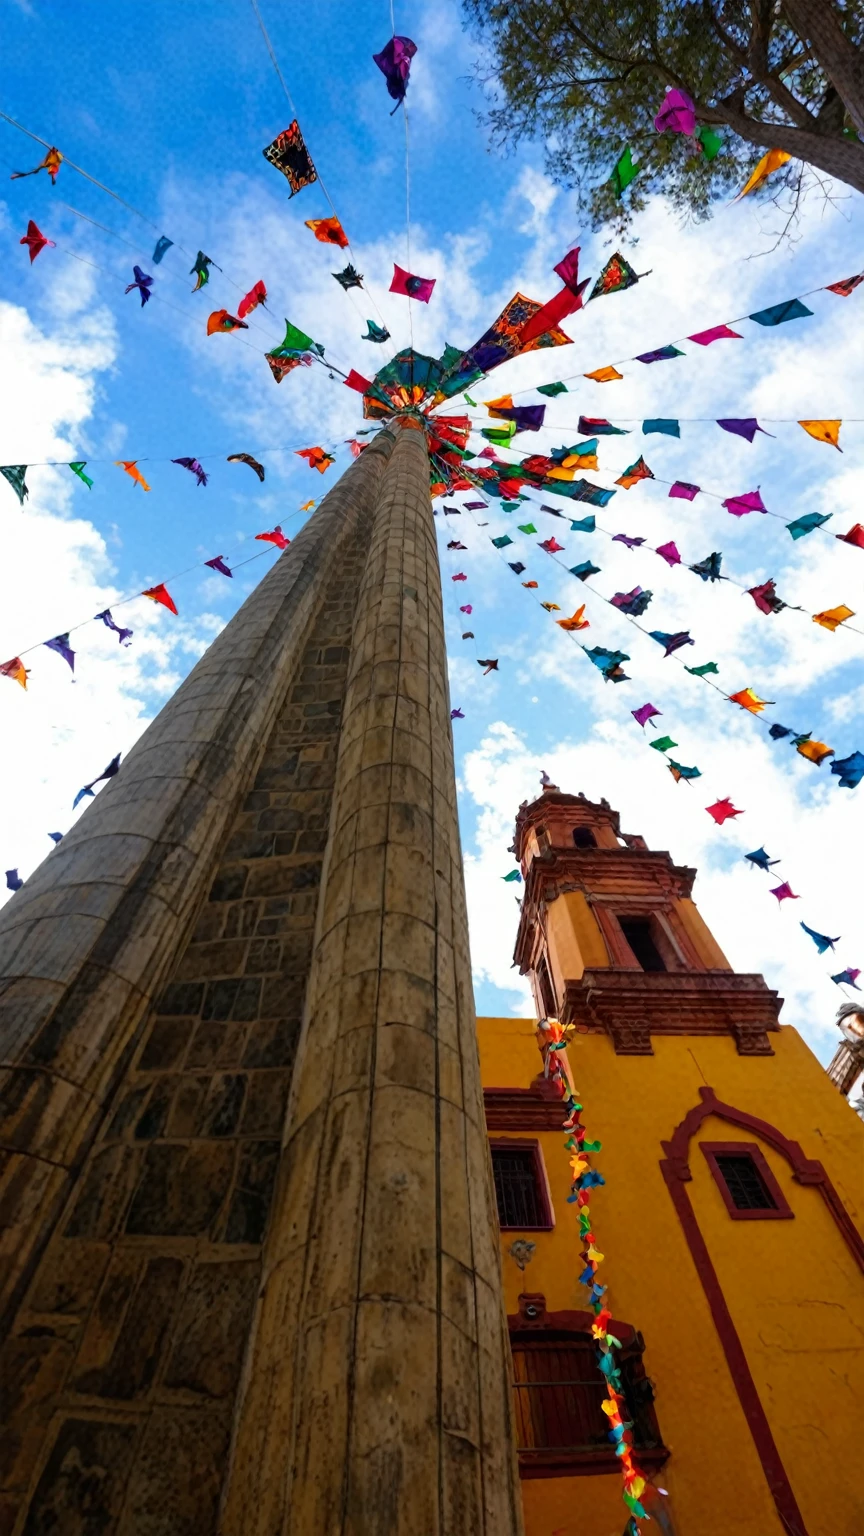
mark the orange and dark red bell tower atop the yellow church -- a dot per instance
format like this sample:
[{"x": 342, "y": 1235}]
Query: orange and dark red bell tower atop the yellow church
[{"x": 613, "y": 941}]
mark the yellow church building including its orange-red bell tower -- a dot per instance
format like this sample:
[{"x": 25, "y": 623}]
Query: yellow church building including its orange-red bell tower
[{"x": 729, "y": 1217}]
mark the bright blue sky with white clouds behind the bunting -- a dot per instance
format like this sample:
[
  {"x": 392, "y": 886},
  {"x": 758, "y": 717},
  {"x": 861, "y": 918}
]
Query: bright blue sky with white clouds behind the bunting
[{"x": 171, "y": 111}]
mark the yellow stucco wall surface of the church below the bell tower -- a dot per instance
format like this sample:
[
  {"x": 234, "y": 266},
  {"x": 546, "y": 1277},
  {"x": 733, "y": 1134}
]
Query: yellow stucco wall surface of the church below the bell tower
[{"x": 794, "y": 1289}]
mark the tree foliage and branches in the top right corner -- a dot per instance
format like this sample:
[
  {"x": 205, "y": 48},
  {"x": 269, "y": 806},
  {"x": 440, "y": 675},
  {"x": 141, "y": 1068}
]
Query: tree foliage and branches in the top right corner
[{"x": 590, "y": 76}]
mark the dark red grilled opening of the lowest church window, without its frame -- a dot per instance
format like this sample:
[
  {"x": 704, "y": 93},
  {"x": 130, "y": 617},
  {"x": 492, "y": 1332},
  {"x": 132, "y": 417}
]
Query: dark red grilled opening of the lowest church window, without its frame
[{"x": 559, "y": 1392}]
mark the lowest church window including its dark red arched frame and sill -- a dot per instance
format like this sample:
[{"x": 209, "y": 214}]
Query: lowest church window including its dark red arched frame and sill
[{"x": 559, "y": 1392}]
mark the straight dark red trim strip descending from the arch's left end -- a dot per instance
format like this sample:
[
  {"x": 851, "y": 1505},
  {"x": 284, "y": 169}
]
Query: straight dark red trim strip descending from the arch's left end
[{"x": 736, "y": 1359}]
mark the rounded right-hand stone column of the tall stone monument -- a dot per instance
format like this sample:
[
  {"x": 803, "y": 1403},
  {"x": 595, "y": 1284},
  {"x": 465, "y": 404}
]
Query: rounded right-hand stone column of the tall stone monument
[{"x": 376, "y": 1397}]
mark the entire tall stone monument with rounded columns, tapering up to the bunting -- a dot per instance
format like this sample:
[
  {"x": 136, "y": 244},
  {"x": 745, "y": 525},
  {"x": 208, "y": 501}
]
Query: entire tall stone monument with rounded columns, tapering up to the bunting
[{"x": 251, "y": 1282}]
